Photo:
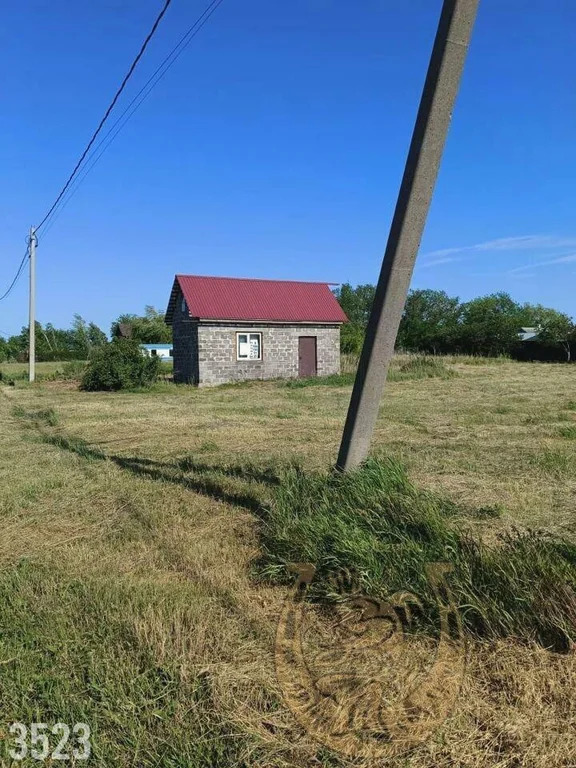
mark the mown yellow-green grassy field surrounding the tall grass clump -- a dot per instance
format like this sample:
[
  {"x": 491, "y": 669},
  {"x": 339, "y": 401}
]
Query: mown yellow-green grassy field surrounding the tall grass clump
[{"x": 132, "y": 523}]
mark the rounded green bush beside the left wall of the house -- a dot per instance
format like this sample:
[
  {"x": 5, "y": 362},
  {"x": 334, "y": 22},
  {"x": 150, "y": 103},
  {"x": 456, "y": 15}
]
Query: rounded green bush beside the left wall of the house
[{"x": 120, "y": 364}]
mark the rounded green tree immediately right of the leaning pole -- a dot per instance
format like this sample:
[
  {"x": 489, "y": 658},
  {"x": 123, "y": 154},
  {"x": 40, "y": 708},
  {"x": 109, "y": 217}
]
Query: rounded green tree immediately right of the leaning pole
[{"x": 429, "y": 322}]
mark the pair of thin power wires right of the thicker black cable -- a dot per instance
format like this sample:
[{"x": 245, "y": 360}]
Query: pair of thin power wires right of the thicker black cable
[{"x": 138, "y": 99}]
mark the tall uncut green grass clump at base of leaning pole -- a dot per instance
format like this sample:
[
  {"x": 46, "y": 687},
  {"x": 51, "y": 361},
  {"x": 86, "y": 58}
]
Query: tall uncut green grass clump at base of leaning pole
[{"x": 375, "y": 526}]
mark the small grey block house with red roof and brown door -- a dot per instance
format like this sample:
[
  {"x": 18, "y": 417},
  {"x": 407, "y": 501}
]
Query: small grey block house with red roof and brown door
[{"x": 232, "y": 329}]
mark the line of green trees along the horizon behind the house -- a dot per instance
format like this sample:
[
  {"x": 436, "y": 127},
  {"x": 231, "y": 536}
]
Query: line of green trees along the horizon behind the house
[{"x": 432, "y": 323}]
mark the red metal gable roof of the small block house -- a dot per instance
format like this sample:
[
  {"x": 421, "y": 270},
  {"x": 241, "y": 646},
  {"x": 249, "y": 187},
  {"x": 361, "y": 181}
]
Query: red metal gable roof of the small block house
[{"x": 232, "y": 298}]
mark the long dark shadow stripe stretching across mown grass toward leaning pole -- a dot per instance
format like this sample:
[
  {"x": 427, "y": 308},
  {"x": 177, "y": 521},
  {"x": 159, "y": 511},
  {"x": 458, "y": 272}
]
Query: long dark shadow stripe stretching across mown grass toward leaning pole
[{"x": 175, "y": 472}]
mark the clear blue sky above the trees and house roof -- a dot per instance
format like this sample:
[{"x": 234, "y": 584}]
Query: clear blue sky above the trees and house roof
[{"x": 275, "y": 146}]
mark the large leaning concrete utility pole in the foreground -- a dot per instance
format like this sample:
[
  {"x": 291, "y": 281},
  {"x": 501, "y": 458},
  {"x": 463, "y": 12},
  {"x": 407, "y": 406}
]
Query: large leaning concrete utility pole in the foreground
[{"x": 432, "y": 122}]
